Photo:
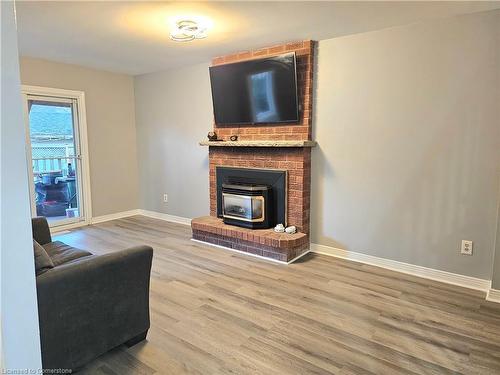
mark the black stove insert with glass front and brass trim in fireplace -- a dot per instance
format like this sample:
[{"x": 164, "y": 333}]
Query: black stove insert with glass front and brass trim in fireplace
[{"x": 247, "y": 205}]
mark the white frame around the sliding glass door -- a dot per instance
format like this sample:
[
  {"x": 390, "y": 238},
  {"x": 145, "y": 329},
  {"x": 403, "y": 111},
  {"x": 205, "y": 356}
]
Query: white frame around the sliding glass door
[{"x": 79, "y": 97}]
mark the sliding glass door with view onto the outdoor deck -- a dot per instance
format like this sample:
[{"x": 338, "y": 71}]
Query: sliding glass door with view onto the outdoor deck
[{"x": 55, "y": 149}]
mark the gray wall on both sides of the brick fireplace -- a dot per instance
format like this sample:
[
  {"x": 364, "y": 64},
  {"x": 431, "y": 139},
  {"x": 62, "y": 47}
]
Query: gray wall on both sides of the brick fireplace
[{"x": 407, "y": 123}]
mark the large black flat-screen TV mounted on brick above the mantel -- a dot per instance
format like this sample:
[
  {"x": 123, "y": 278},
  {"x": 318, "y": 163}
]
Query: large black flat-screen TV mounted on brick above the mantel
[{"x": 255, "y": 91}]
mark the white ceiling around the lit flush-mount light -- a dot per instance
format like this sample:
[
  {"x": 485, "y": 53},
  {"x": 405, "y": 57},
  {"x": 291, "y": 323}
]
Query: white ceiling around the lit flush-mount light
[{"x": 133, "y": 37}]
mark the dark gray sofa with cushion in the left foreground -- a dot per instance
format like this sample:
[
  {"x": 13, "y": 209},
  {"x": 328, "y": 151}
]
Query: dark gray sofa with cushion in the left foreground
[{"x": 89, "y": 304}]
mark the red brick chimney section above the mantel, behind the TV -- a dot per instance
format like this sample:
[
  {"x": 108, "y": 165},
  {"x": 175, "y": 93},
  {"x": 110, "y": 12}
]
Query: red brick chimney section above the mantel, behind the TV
[{"x": 297, "y": 131}]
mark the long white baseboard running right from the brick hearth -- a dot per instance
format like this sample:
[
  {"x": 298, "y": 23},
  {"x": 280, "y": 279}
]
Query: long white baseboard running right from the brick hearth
[{"x": 411, "y": 269}]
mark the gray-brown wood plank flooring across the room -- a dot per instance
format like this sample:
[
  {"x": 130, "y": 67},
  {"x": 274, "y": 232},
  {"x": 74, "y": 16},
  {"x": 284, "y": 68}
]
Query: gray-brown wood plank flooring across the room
[{"x": 218, "y": 312}]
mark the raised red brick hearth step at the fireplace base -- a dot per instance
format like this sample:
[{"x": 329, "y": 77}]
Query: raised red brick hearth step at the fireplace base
[{"x": 263, "y": 242}]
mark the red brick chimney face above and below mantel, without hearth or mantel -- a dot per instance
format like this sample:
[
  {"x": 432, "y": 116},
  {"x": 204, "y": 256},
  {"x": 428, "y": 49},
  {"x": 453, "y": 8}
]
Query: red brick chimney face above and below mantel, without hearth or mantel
[{"x": 297, "y": 161}]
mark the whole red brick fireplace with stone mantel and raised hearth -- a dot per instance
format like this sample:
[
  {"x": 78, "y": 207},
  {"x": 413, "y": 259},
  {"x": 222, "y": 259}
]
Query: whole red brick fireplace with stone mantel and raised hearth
[{"x": 285, "y": 147}]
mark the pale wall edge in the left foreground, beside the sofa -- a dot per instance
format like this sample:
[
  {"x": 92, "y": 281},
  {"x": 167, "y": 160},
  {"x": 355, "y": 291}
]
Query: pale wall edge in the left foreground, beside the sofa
[{"x": 19, "y": 317}]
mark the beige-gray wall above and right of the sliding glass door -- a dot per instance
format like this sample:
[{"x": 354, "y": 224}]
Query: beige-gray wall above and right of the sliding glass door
[{"x": 109, "y": 99}]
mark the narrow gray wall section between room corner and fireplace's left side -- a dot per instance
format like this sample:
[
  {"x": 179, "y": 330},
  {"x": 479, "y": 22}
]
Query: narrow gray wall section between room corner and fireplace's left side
[{"x": 174, "y": 113}]
